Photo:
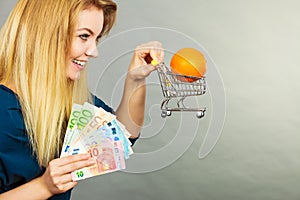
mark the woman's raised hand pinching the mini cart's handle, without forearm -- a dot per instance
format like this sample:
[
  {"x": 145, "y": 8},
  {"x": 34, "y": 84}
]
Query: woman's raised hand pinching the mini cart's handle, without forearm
[{"x": 140, "y": 66}]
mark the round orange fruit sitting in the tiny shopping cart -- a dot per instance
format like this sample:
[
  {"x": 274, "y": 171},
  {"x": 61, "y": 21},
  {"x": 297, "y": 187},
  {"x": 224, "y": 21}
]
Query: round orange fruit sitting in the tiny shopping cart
[{"x": 188, "y": 62}]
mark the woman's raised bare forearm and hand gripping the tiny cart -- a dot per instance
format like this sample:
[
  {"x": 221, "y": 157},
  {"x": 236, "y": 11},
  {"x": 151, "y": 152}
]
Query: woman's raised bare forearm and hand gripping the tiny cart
[{"x": 131, "y": 109}]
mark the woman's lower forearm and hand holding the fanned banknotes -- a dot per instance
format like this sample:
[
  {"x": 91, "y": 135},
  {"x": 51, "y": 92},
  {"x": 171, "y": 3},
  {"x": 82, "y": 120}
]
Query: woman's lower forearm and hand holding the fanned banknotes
[{"x": 56, "y": 179}]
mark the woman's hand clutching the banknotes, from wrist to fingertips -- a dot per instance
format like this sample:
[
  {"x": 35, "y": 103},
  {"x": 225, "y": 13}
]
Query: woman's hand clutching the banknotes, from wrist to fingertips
[{"x": 57, "y": 177}]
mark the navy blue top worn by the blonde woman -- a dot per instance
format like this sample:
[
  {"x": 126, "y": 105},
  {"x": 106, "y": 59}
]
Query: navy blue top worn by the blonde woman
[{"x": 18, "y": 165}]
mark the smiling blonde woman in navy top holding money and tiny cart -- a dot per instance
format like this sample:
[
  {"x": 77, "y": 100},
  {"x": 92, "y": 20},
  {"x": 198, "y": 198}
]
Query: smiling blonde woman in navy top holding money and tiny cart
[{"x": 44, "y": 48}]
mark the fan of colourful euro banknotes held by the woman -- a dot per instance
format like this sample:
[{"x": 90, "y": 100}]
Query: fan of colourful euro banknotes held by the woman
[{"x": 98, "y": 132}]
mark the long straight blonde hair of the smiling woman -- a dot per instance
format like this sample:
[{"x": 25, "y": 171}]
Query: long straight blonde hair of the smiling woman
[{"x": 34, "y": 44}]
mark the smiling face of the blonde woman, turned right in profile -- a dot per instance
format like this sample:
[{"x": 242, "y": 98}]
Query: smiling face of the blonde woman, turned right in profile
[{"x": 84, "y": 45}]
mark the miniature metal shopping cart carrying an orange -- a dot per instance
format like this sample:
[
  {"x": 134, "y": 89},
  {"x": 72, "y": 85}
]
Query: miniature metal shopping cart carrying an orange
[{"x": 176, "y": 86}]
